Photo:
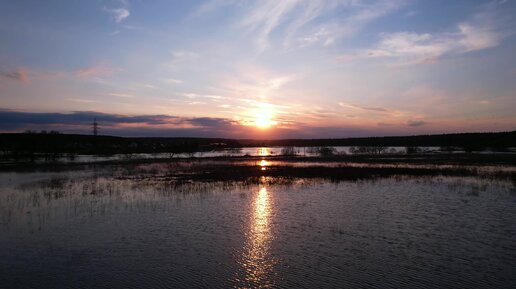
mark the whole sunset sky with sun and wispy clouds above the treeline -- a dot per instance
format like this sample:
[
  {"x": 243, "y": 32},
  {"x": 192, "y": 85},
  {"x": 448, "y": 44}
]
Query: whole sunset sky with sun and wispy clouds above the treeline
[{"x": 258, "y": 69}]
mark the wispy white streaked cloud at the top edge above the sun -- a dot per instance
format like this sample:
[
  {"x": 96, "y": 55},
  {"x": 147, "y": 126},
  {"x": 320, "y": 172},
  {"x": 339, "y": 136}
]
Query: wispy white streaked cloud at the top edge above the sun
[{"x": 304, "y": 22}]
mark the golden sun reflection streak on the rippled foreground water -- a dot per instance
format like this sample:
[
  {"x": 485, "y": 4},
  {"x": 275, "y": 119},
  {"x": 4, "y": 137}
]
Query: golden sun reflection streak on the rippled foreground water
[{"x": 256, "y": 262}]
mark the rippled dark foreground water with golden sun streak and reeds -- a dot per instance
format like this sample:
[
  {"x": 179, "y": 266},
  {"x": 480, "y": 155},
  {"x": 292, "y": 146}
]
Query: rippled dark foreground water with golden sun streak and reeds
[{"x": 91, "y": 229}]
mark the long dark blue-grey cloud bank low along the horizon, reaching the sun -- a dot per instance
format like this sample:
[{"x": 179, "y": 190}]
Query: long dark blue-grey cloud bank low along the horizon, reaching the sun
[{"x": 160, "y": 125}]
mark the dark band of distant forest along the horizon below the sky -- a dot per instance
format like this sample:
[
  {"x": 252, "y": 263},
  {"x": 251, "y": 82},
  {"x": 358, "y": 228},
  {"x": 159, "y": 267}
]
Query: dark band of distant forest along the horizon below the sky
[{"x": 23, "y": 144}]
